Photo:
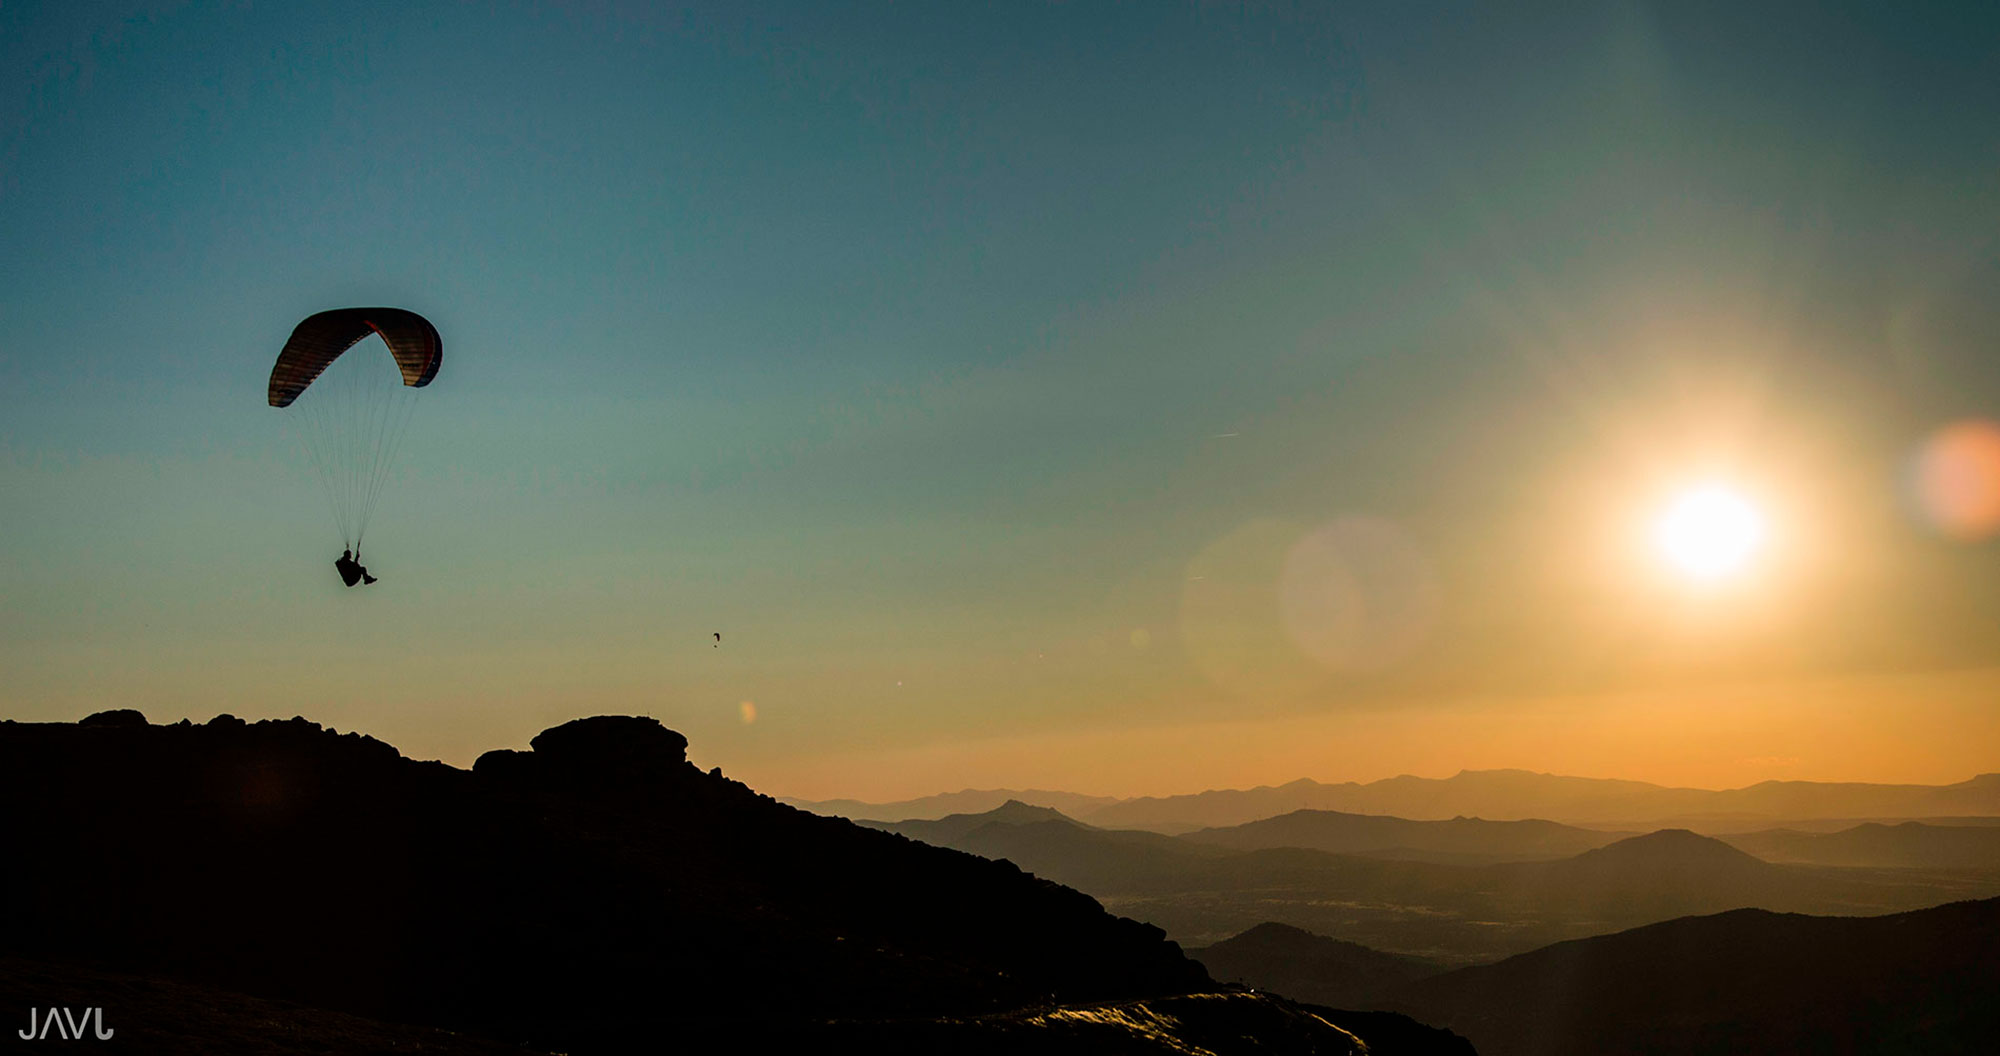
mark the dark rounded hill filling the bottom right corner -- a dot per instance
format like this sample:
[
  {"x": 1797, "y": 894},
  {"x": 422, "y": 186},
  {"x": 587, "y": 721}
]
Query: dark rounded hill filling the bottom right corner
[{"x": 1745, "y": 981}]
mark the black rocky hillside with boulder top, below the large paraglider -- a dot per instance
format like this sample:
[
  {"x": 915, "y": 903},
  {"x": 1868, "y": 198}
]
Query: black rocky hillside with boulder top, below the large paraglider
[{"x": 591, "y": 895}]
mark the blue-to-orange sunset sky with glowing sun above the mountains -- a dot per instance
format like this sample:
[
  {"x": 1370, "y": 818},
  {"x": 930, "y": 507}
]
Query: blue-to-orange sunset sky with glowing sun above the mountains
[{"x": 1127, "y": 399}]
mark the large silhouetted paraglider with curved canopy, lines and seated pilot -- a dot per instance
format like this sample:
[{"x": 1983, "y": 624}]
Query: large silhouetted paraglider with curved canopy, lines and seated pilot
[{"x": 353, "y": 411}]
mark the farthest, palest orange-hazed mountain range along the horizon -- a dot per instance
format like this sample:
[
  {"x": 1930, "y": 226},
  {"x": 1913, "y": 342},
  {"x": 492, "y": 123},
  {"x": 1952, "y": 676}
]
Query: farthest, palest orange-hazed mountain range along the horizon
[{"x": 1493, "y": 795}]
